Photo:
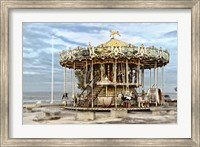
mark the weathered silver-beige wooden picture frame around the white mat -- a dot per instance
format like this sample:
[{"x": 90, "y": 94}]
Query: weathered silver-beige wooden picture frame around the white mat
[{"x": 7, "y": 5}]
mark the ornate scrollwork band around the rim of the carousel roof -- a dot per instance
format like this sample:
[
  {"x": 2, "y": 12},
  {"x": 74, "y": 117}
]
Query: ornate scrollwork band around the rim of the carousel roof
[{"x": 116, "y": 52}]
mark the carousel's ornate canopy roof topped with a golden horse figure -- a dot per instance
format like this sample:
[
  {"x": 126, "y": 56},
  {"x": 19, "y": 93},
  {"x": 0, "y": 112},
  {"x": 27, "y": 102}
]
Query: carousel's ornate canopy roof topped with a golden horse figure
[{"x": 112, "y": 50}]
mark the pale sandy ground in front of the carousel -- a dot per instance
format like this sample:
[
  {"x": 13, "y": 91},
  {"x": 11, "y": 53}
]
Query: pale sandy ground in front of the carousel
[{"x": 37, "y": 116}]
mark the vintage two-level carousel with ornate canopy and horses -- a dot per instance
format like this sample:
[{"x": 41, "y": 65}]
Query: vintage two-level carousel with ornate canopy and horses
[{"x": 112, "y": 74}]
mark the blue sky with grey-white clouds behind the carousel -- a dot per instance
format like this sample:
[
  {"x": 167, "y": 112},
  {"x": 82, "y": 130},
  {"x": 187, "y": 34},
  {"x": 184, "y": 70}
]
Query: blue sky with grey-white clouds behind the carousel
[{"x": 37, "y": 44}]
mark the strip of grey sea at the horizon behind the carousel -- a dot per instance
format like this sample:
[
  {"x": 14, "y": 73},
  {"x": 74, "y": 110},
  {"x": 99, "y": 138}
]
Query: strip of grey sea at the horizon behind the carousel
[{"x": 45, "y": 97}]
